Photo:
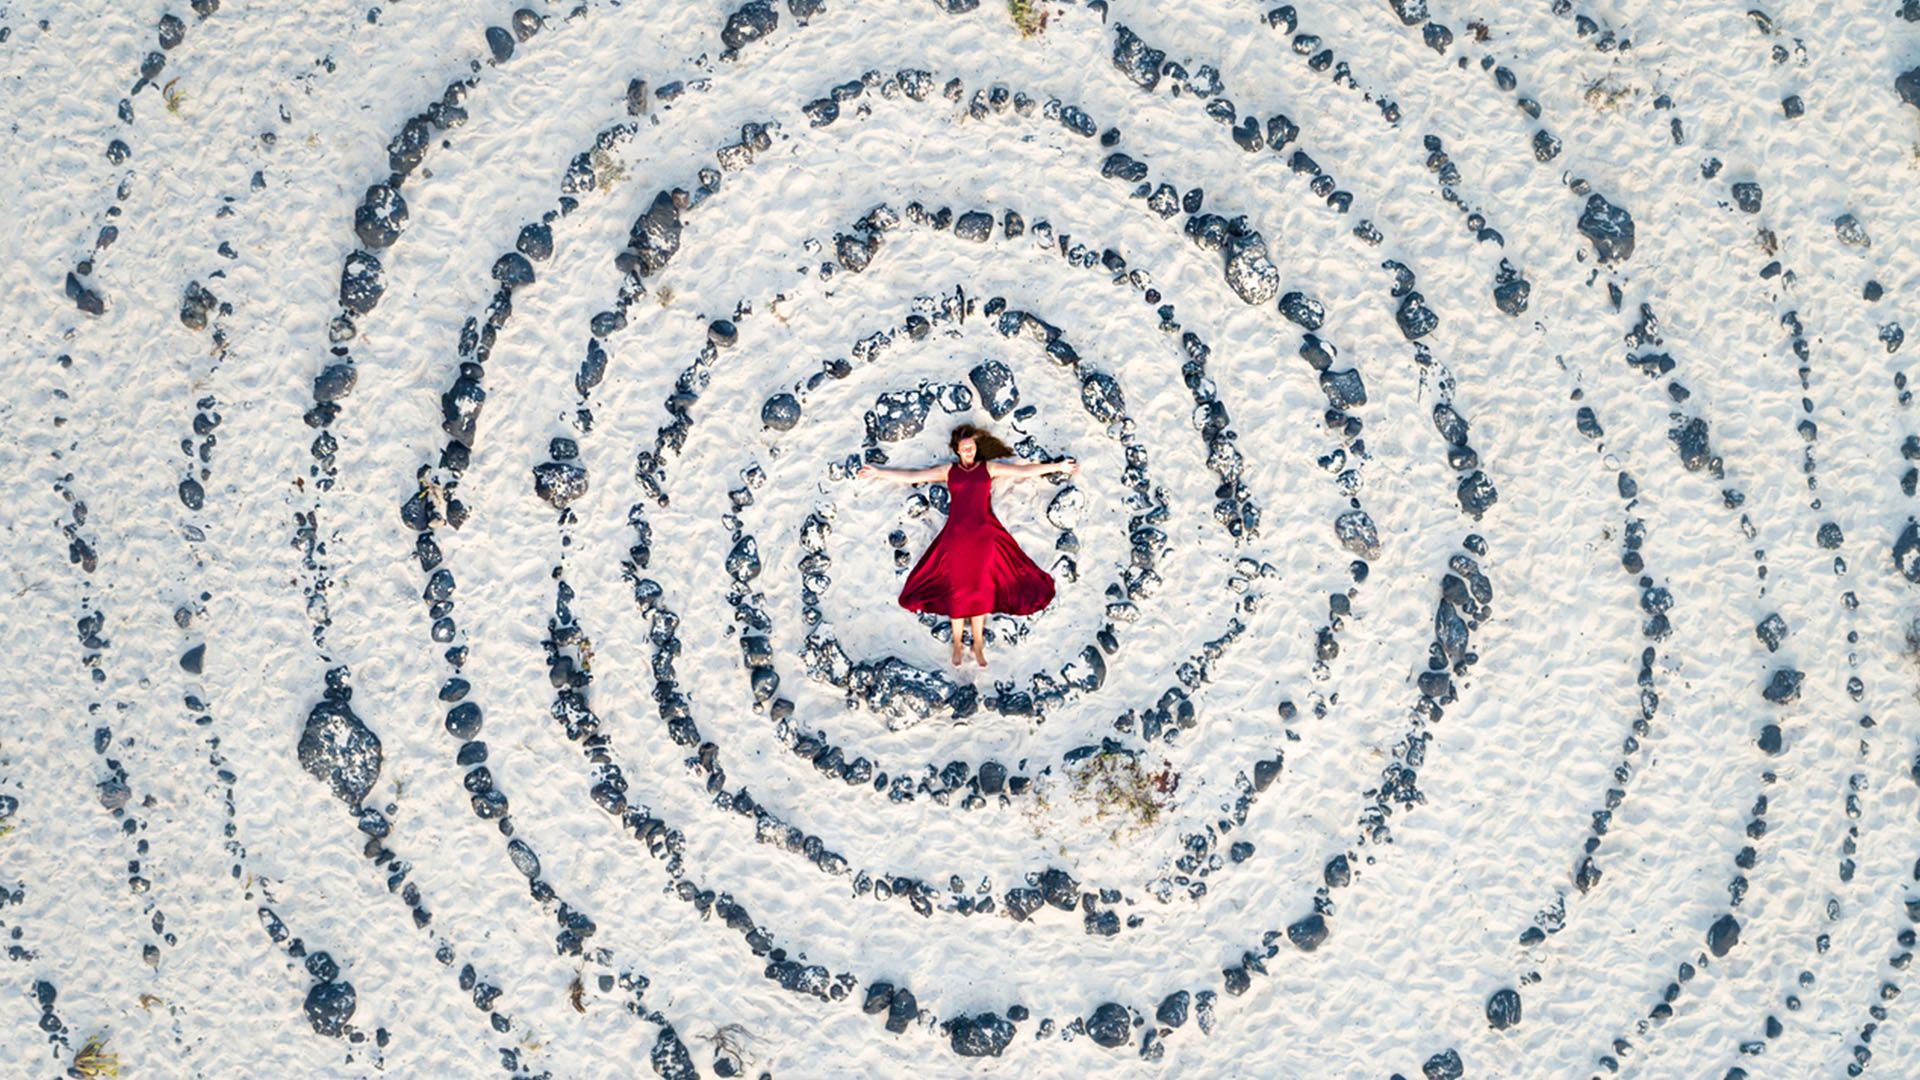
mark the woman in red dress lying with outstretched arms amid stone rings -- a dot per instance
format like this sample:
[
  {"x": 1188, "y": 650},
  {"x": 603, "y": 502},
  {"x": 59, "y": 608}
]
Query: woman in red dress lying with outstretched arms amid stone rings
[{"x": 974, "y": 566}]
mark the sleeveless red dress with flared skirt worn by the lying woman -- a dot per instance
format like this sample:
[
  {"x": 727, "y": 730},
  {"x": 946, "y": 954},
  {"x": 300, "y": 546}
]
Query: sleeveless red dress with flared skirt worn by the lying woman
[{"x": 974, "y": 566}]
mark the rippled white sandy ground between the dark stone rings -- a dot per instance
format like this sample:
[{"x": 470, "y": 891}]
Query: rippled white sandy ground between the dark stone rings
[{"x": 1426, "y": 933}]
